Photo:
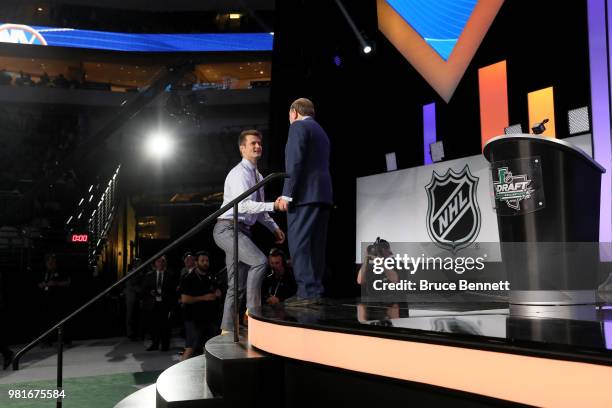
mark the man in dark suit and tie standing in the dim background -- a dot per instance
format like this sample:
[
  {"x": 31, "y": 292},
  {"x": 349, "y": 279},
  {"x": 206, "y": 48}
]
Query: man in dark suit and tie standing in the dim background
[{"x": 160, "y": 297}]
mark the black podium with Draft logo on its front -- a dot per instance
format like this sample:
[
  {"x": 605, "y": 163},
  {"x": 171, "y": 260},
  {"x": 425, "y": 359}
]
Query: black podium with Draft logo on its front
[{"x": 546, "y": 193}]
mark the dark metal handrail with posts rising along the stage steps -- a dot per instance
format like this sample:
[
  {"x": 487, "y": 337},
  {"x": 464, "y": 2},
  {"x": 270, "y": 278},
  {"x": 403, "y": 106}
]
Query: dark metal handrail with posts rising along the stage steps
[{"x": 232, "y": 204}]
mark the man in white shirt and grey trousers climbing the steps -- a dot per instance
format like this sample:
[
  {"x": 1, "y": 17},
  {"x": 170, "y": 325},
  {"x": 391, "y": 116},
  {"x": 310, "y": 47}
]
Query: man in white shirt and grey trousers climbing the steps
[{"x": 252, "y": 262}]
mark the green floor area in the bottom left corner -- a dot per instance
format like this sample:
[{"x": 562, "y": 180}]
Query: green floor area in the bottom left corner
[{"x": 96, "y": 392}]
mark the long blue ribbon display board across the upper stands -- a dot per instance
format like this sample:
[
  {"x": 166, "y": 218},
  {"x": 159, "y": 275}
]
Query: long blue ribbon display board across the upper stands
[{"x": 102, "y": 40}]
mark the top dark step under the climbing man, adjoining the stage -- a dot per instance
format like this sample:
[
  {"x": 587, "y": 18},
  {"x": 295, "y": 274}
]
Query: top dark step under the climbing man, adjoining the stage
[{"x": 242, "y": 375}]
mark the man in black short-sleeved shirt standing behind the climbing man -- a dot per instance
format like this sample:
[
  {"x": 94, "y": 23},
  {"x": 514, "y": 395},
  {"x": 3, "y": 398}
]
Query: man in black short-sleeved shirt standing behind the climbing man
[{"x": 199, "y": 296}]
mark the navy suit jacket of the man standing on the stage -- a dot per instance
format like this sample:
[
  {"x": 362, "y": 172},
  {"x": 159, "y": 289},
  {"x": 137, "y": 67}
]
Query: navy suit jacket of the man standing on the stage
[{"x": 307, "y": 163}]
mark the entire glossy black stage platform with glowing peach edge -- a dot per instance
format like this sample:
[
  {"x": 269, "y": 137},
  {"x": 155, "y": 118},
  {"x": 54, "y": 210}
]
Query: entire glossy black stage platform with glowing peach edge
[{"x": 444, "y": 350}]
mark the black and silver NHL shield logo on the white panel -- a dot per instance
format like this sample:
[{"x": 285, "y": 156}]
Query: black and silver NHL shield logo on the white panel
[{"x": 453, "y": 215}]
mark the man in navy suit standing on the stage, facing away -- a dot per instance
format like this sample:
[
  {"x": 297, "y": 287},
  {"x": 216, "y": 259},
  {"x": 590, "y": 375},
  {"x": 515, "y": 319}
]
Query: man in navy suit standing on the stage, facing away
[{"x": 307, "y": 197}]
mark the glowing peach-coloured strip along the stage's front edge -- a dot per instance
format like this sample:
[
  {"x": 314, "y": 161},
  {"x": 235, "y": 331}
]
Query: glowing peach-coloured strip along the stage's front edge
[{"x": 510, "y": 377}]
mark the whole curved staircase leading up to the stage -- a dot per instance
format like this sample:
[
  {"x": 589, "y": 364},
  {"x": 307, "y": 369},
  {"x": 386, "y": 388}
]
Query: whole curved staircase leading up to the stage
[{"x": 230, "y": 374}]
